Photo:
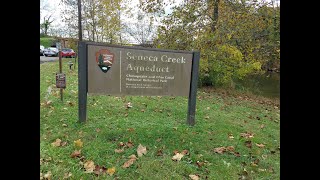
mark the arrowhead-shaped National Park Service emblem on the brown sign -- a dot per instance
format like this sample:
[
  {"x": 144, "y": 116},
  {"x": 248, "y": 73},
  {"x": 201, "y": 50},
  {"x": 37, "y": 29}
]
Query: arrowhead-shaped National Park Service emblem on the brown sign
[{"x": 104, "y": 59}]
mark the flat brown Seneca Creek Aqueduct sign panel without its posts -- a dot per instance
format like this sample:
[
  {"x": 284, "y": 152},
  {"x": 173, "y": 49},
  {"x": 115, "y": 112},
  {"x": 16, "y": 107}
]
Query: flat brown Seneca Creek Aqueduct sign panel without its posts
[{"x": 122, "y": 71}]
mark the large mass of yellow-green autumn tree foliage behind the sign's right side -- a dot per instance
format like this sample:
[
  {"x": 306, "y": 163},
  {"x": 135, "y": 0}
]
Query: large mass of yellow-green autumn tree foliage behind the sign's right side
[{"x": 235, "y": 38}]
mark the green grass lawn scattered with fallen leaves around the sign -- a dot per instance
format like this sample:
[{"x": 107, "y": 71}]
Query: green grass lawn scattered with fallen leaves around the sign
[{"x": 236, "y": 136}]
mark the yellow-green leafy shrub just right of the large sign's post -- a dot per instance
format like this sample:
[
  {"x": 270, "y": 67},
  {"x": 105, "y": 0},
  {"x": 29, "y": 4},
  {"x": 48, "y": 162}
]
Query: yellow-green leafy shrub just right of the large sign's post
[{"x": 220, "y": 65}]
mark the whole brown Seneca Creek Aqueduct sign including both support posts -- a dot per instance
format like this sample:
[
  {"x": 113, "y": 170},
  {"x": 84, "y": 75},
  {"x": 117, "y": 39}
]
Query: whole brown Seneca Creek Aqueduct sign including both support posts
[{"x": 124, "y": 70}]
